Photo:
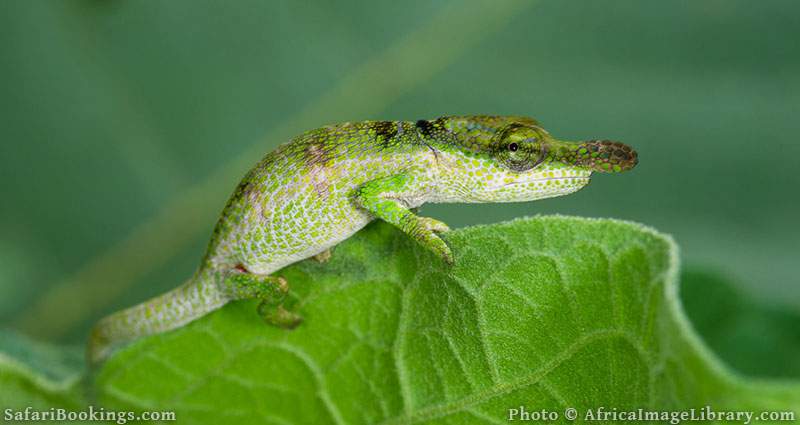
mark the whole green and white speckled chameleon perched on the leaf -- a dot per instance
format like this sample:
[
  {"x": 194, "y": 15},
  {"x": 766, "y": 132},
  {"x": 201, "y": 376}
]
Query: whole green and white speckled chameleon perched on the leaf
[{"x": 322, "y": 187}]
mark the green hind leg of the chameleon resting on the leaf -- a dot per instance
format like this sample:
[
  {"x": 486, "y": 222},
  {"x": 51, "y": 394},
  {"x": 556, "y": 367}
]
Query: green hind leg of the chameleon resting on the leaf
[{"x": 272, "y": 292}]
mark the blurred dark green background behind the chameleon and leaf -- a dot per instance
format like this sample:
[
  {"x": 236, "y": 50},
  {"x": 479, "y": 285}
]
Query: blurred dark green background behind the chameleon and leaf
[{"x": 126, "y": 124}]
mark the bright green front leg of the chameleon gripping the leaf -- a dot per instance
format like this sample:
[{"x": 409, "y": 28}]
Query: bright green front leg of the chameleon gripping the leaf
[{"x": 381, "y": 197}]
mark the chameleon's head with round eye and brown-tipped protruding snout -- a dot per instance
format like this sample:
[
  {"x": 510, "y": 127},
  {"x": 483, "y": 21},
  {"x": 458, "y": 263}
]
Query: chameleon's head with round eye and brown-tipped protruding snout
[{"x": 512, "y": 159}]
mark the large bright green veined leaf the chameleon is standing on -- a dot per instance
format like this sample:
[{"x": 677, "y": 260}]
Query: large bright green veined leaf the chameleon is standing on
[{"x": 547, "y": 313}]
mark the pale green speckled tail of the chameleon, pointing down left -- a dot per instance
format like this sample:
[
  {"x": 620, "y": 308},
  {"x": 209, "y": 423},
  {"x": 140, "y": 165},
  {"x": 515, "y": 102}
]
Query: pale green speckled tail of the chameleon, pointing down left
[{"x": 197, "y": 297}]
